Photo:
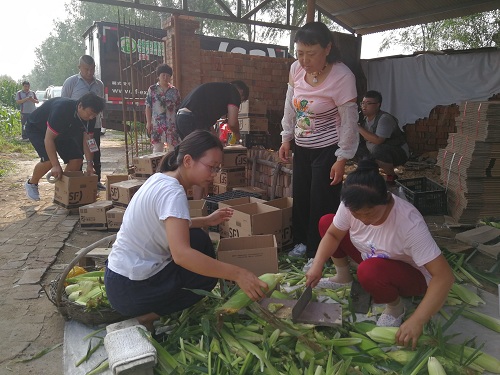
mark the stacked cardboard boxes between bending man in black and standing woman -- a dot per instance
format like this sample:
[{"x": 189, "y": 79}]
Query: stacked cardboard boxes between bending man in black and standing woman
[{"x": 253, "y": 123}]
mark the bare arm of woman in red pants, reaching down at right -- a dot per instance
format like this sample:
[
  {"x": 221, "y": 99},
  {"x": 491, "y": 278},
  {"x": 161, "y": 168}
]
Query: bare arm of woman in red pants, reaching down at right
[{"x": 434, "y": 298}]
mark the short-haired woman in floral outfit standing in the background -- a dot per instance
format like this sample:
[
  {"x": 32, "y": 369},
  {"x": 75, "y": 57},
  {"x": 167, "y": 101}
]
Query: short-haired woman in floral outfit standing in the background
[{"x": 162, "y": 102}]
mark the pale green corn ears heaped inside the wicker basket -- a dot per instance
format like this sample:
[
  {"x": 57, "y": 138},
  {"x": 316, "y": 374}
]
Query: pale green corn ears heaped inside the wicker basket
[{"x": 86, "y": 288}]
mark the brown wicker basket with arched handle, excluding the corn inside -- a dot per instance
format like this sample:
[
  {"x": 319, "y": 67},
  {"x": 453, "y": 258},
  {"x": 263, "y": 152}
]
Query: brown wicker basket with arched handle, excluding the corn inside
[{"x": 71, "y": 310}]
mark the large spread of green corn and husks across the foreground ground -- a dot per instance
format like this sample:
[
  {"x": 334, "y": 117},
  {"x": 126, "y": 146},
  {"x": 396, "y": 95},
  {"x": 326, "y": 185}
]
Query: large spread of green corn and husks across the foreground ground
[{"x": 211, "y": 338}]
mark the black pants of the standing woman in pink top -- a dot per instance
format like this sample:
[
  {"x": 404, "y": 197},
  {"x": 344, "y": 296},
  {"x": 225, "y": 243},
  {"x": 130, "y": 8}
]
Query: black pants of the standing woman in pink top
[{"x": 313, "y": 196}]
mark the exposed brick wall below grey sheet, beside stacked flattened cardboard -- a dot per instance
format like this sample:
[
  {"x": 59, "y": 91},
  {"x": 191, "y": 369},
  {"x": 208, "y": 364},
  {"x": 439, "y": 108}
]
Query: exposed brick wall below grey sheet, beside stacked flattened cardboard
[{"x": 431, "y": 134}]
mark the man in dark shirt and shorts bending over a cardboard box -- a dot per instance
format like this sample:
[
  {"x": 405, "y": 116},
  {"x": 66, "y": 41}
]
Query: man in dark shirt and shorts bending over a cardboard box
[{"x": 55, "y": 128}]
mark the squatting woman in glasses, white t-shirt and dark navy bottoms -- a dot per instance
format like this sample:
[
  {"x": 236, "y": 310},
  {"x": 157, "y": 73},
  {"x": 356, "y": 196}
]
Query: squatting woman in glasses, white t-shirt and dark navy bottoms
[{"x": 160, "y": 251}]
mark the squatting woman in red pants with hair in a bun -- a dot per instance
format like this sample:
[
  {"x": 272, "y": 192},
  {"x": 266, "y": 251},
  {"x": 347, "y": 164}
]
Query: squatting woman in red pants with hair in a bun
[{"x": 391, "y": 242}]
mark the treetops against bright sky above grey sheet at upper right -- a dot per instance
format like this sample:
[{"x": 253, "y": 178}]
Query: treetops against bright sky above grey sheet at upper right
[{"x": 469, "y": 32}]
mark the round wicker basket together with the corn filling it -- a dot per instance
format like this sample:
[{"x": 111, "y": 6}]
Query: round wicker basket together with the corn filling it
[{"x": 79, "y": 293}]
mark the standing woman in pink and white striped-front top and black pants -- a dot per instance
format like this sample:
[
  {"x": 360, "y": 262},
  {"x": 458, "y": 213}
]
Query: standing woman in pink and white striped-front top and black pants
[{"x": 320, "y": 118}]
